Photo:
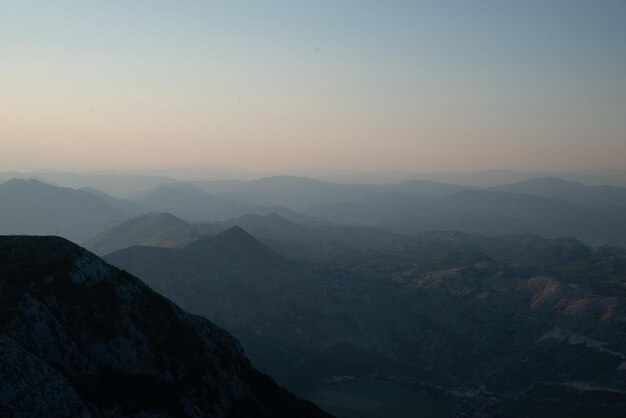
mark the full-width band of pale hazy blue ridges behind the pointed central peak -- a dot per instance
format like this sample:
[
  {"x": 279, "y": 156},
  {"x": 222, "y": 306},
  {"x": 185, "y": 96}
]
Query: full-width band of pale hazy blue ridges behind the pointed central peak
[{"x": 548, "y": 207}]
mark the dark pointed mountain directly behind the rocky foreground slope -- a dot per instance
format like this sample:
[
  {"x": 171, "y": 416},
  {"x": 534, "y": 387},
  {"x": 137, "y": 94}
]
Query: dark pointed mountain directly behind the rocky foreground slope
[{"x": 241, "y": 284}]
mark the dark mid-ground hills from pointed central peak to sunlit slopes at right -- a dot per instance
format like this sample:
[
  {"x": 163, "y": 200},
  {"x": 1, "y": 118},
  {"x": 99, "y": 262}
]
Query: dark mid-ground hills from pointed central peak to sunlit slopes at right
[{"x": 510, "y": 326}]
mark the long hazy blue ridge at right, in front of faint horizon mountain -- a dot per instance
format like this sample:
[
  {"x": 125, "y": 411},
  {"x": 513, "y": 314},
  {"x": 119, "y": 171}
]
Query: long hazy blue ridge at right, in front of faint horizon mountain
[{"x": 484, "y": 212}]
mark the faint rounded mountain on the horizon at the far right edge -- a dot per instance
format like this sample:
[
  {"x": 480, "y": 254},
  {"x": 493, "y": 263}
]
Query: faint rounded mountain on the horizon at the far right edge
[{"x": 570, "y": 191}]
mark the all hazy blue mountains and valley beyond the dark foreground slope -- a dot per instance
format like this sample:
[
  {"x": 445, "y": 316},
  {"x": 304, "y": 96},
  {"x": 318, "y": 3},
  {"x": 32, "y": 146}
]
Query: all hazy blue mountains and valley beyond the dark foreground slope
[{"x": 331, "y": 286}]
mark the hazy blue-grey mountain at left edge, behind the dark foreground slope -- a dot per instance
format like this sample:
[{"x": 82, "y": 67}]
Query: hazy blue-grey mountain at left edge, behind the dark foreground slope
[{"x": 33, "y": 207}]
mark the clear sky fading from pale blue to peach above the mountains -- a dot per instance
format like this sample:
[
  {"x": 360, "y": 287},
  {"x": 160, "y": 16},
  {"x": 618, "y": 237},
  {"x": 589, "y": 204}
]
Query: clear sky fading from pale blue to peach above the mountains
[{"x": 353, "y": 85}]
